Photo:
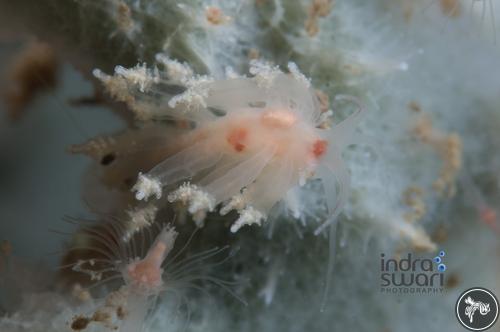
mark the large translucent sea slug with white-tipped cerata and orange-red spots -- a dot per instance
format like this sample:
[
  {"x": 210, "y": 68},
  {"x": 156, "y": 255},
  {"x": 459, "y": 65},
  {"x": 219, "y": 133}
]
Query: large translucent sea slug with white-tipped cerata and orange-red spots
[{"x": 253, "y": 139}]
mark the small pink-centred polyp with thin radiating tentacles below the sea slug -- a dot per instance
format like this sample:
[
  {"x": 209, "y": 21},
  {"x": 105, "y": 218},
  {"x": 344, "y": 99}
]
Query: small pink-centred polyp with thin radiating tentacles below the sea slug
[{"x": 144, "y": 267}]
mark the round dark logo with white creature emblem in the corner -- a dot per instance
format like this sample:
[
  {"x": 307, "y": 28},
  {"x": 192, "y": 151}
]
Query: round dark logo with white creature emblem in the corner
[{"x": 477, "y": 309}]
